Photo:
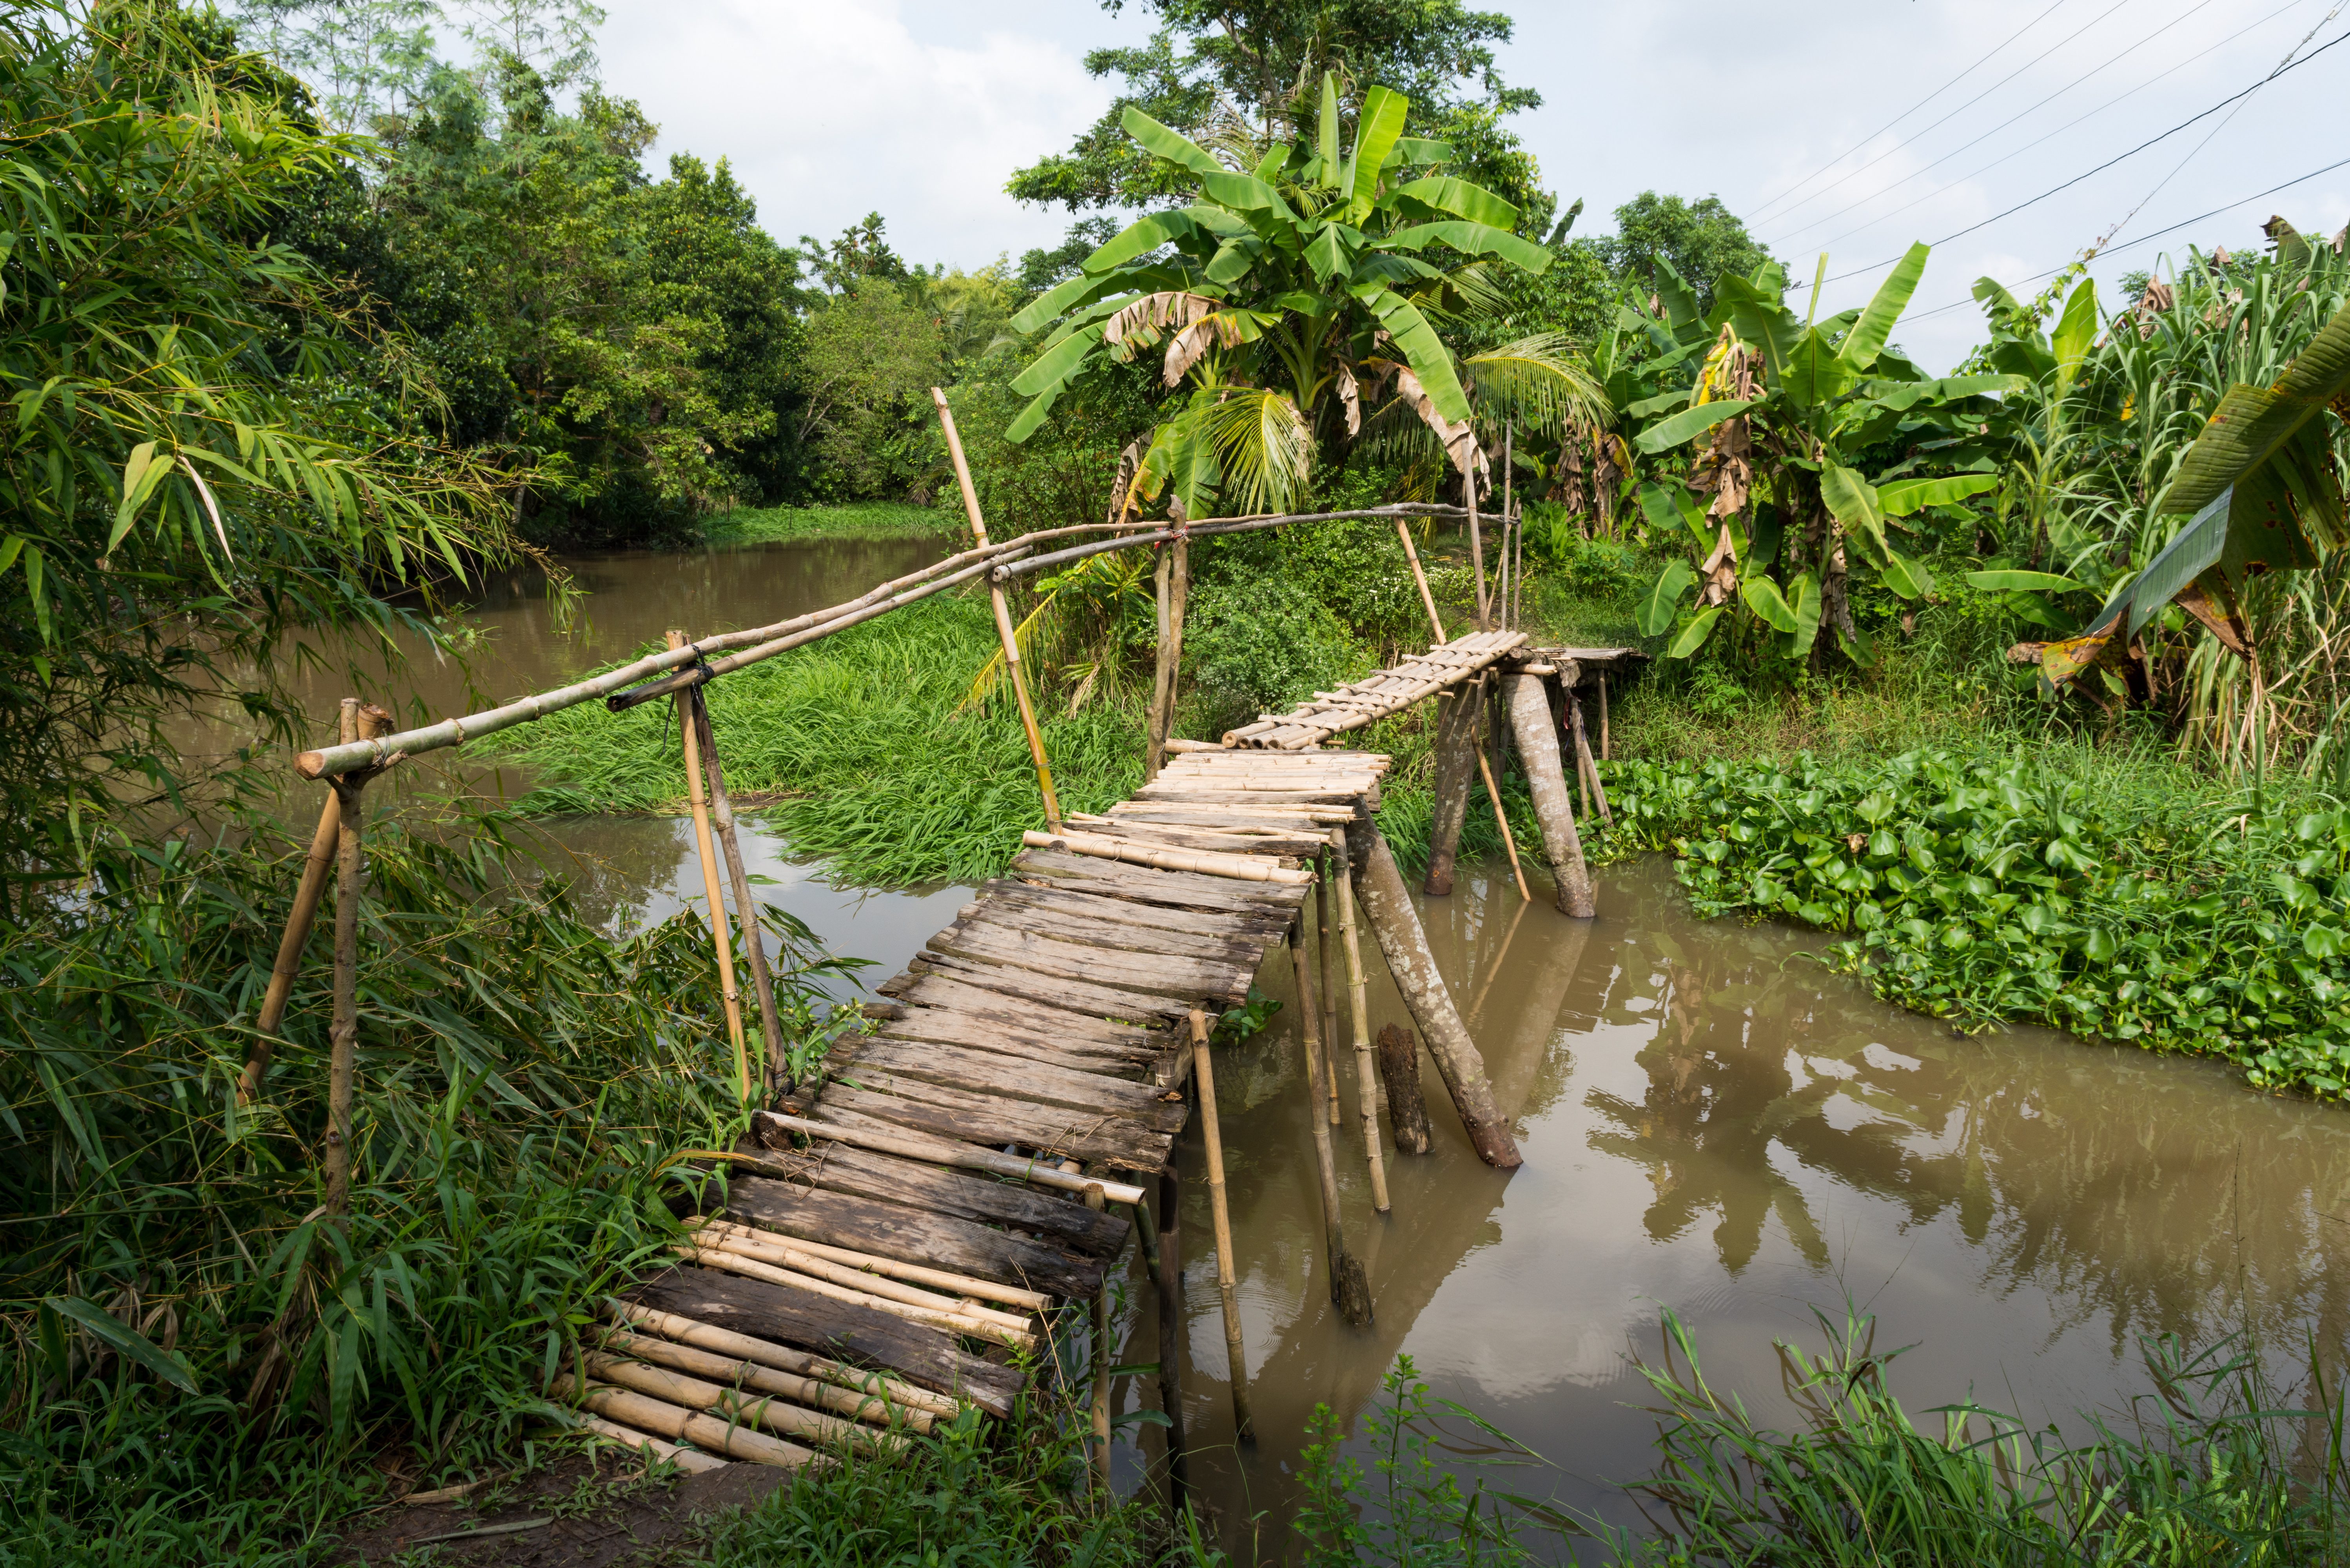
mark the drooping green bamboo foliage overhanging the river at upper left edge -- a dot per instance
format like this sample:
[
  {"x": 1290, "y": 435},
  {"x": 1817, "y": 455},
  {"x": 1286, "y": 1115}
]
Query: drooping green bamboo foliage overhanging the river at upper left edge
[{"x": 192, "y": 469}]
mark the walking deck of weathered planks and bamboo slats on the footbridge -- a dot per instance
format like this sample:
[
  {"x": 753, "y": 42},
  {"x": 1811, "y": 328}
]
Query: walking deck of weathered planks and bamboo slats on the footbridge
[{"x": 1045, "y": 1024}]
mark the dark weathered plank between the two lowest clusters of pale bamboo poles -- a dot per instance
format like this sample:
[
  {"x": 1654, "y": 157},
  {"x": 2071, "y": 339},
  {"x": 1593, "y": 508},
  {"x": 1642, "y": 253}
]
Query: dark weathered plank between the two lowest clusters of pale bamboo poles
[{"x": 838, "y": 1329}]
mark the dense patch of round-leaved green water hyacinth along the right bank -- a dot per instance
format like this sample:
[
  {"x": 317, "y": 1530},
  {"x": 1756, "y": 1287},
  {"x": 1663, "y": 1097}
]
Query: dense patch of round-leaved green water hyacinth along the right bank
[{"x": 2010, "y": 892}]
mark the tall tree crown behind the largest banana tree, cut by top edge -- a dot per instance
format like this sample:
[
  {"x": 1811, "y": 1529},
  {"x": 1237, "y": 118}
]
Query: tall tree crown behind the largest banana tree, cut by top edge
[{"x": 1230, "y": 72}]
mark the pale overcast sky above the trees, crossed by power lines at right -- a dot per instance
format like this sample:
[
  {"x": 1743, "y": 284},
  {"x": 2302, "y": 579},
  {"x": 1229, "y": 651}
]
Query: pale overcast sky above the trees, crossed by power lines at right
[{"x": 1844, "y": 126}]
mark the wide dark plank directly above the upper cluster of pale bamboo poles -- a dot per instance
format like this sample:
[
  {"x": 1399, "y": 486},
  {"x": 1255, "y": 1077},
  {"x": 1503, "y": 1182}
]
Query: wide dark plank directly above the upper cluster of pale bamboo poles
[{"x": 913, "y": 1235}]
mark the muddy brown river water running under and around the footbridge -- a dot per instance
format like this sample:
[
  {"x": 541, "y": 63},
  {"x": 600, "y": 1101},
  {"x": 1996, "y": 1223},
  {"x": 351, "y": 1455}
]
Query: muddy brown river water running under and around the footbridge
[{"x": 1712, "y": 1123}]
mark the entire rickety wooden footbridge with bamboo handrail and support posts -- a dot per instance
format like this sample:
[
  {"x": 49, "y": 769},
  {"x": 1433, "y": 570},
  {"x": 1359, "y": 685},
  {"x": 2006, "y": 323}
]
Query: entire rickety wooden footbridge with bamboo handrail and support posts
[{"x": 936, "y": 1219}]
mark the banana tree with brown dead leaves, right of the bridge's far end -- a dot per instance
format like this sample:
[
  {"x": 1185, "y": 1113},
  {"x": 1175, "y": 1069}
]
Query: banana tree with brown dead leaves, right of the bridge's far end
[{"x": 1790, "y": 485}]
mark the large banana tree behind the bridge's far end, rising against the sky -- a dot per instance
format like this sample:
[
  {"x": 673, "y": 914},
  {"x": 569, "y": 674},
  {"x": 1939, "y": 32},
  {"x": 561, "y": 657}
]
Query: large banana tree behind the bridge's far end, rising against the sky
[{"x": 1287, "y": 295}]
